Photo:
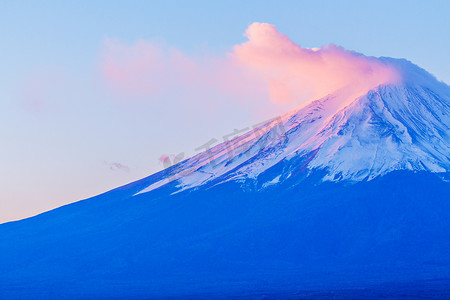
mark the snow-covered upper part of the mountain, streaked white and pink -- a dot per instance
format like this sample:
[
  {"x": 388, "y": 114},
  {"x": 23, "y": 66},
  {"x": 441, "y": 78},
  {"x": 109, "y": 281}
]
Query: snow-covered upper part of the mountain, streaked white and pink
[{"x": 405, "y": 126}]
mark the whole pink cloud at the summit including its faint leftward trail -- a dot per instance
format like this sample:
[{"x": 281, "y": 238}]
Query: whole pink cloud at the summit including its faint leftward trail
[{"x": 269, "y": 65}]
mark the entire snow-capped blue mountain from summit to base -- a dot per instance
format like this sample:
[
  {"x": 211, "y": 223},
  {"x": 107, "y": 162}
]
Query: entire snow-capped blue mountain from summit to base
[{"x": 348, "y": 196}]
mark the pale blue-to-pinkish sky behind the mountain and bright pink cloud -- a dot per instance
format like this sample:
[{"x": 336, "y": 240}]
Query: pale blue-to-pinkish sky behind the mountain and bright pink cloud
[{"x": 67, "y": 134}]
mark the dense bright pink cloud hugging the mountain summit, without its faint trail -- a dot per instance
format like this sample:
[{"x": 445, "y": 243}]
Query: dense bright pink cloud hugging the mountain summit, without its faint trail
[{"x": 292, "y": 72}]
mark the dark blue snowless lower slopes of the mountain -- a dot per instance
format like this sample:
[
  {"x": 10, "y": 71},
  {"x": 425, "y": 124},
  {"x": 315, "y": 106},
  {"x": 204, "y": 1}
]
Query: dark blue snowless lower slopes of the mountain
[{"x": 389, "y": 236}]
